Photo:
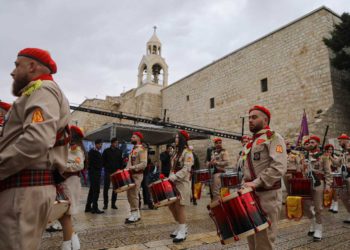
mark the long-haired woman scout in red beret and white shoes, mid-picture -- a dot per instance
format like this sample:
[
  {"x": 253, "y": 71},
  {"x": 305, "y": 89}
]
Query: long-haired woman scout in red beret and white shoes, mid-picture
[{"x": 182, "y": 162}]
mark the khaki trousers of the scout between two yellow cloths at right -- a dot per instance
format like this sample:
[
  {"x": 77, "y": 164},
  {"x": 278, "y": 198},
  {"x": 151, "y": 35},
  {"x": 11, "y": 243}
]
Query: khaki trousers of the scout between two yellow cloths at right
[{"x": 317, "y": 201}]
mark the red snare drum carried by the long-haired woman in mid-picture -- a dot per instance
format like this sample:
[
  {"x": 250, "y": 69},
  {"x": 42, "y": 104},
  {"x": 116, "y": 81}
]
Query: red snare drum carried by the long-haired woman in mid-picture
[{"x": 163, "y": 192}]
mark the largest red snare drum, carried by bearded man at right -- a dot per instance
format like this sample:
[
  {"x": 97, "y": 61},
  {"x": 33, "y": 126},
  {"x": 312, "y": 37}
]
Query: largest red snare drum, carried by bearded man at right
[{"x": 238, "y": 215}]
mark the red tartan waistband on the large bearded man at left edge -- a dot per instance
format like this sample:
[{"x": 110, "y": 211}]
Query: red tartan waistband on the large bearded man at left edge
[{"x": 28, "y": 178}]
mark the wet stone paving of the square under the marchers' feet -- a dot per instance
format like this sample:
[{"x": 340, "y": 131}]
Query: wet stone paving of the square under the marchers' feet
[{"x": 108, "y": 231}]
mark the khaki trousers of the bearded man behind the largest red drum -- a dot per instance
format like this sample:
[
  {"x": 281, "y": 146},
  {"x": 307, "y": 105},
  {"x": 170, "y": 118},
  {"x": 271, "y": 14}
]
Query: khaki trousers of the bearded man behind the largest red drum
[{"x": 271, "y": 203}]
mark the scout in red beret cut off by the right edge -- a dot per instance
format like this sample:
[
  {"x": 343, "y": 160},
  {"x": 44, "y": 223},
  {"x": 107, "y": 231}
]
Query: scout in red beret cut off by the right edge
[{"x": 344, "y": 163}]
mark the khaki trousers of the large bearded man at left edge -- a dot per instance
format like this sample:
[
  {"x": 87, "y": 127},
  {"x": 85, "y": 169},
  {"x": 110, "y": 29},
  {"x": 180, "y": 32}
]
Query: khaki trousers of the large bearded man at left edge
[{"x": 24, "y": 214}]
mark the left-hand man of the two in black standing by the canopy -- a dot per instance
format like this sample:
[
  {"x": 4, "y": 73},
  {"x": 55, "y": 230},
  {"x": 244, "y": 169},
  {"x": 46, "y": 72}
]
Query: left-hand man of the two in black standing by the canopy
[{"x": 94, "y": 167}]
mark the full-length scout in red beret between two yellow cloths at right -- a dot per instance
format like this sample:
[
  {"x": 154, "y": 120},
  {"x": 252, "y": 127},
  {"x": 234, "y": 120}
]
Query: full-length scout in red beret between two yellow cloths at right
[{"x": 320, "y": 170}]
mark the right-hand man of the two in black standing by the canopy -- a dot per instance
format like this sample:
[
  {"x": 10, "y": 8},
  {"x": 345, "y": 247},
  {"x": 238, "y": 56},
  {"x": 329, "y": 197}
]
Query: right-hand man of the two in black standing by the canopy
[{"x": 112, "y": 161}]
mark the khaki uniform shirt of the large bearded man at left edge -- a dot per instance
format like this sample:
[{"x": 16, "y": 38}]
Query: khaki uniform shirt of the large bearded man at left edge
[{"x": 28, "y": 136}]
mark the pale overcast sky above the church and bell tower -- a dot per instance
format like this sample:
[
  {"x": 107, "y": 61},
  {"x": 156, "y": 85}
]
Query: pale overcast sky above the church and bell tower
[{"x": 98, "y": 45}]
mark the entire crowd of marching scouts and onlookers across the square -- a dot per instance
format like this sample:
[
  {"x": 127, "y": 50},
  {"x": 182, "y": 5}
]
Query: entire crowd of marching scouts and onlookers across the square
[{"x": 42, "y": 156}]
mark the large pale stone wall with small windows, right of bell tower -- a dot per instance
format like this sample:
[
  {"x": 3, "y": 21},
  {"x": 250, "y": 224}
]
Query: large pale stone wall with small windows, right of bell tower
[{"x": 296, "y": 63}]
